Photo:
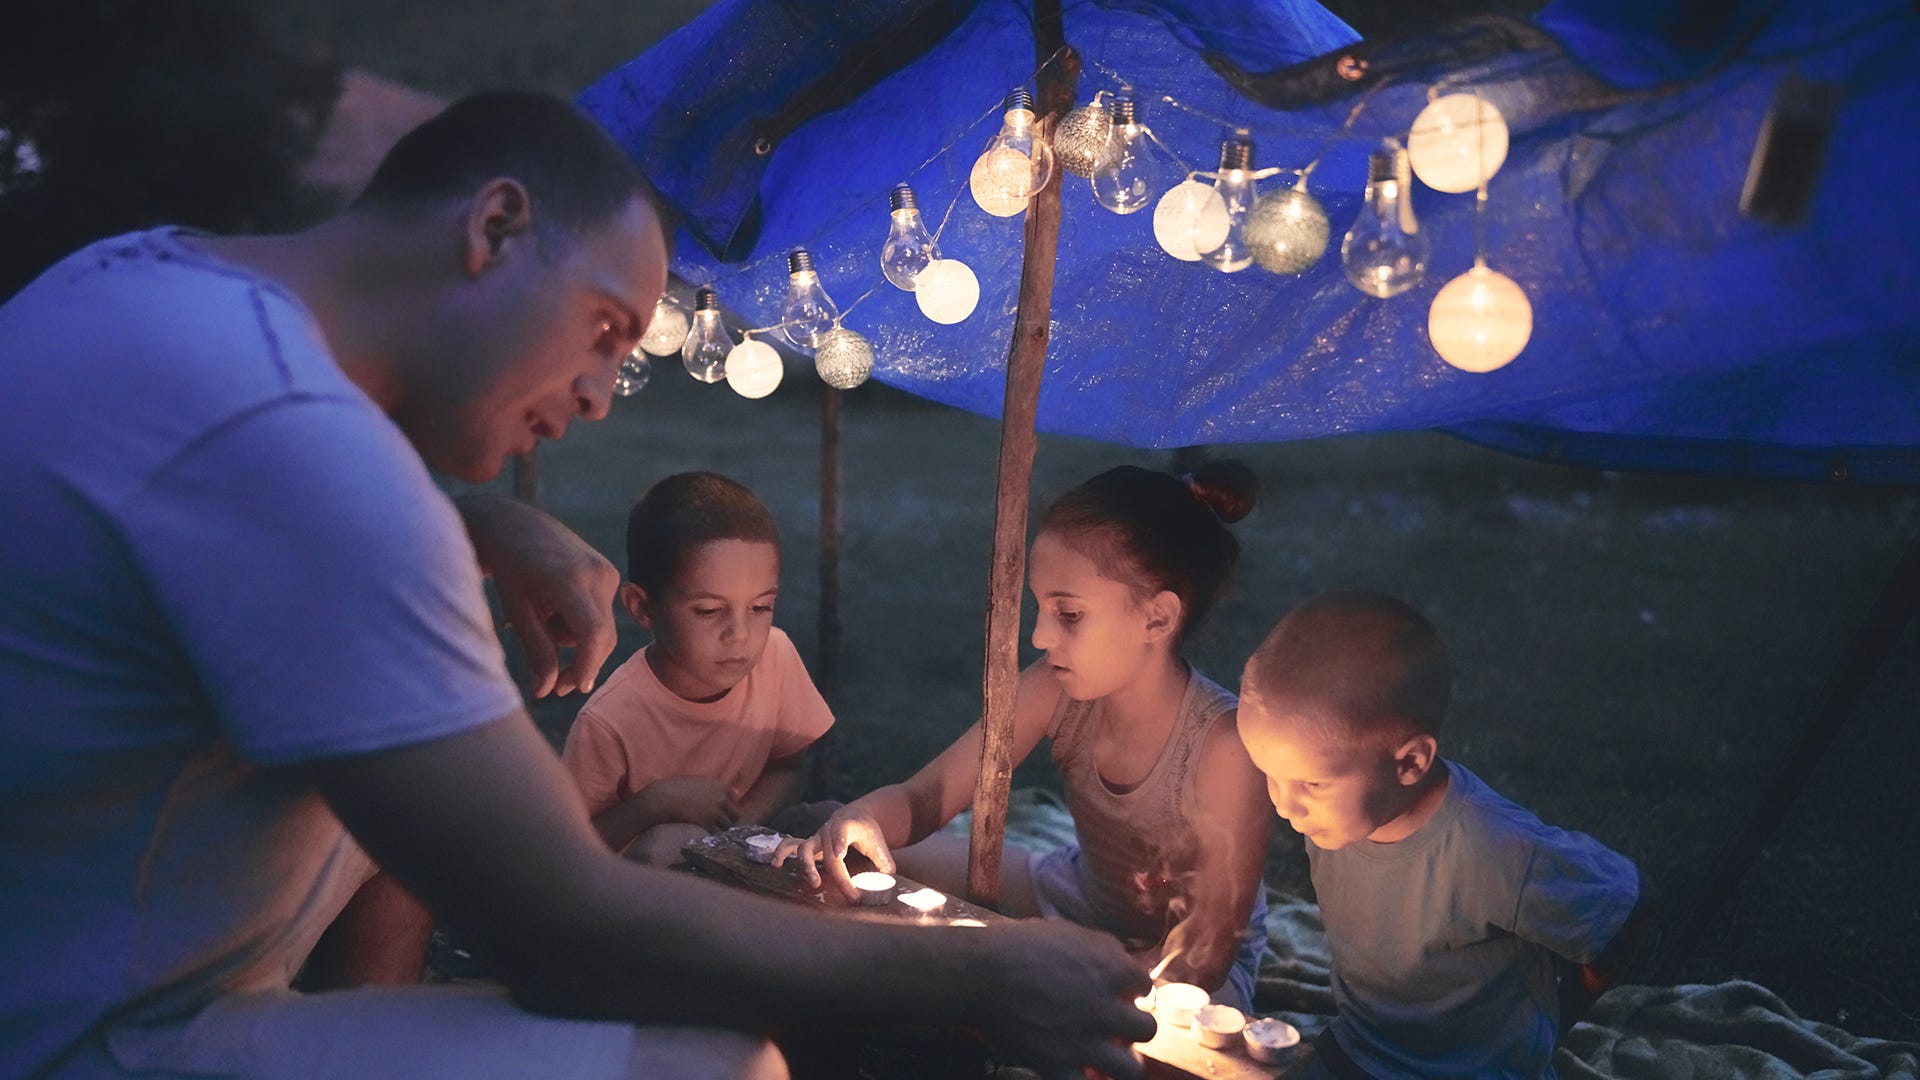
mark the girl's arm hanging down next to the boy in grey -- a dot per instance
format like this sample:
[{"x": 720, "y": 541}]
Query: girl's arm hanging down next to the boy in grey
[{"x": 1234, "y": 823}]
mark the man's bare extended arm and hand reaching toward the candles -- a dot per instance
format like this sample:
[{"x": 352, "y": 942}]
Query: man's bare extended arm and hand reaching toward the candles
[{"x": 489, "y": 833}]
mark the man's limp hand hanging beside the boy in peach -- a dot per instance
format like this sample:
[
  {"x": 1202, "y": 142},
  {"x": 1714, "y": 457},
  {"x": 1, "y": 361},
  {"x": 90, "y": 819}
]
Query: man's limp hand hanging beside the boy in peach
[{"x": 556, "y": 589}]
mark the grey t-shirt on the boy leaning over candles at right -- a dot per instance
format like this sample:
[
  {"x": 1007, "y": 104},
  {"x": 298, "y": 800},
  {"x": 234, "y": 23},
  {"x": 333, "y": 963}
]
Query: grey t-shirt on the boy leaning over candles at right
[{"x": 1445, "y": 945}]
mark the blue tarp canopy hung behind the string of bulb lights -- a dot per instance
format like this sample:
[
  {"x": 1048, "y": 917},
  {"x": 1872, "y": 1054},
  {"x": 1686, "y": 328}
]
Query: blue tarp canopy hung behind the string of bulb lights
[{"x": 1669, "y": 330}]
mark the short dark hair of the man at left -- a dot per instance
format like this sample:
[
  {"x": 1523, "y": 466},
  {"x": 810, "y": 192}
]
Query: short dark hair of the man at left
[{"x": 575, "y": 172}]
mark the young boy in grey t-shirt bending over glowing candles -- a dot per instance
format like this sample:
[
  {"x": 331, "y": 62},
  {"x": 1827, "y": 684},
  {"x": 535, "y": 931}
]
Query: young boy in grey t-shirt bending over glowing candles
[{"x": 1451, "y": 912}]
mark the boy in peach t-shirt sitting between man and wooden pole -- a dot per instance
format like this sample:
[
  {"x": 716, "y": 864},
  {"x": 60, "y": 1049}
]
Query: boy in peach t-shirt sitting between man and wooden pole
[{"x": 709, "y": 725}]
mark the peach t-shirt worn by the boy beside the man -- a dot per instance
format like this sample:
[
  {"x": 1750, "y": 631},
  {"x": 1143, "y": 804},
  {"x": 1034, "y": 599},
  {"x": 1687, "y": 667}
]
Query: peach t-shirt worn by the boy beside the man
[{"x": 636, "y": 731}]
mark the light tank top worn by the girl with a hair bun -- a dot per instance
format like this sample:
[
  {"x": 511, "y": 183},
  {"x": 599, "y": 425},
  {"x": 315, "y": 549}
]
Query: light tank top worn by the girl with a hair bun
[{"x": 1140, "y": 847}]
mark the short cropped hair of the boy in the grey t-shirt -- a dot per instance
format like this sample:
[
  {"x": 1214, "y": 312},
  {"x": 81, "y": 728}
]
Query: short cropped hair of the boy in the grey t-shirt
[{"x": 1374, "y": 668}]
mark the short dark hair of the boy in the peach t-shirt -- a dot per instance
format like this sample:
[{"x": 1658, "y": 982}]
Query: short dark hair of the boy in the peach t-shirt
[{"x": 684, "y": 512}]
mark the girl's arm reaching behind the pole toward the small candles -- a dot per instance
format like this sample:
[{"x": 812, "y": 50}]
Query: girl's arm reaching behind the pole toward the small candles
[{"x": 911, "y": 812}]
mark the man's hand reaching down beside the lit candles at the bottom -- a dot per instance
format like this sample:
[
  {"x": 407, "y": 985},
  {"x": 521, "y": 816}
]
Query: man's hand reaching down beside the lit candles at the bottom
[{"x": 1059, "y": 998}]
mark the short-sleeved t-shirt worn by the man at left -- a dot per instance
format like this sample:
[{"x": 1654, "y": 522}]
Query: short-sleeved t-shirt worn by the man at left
[{"x": 216, "y": 558}]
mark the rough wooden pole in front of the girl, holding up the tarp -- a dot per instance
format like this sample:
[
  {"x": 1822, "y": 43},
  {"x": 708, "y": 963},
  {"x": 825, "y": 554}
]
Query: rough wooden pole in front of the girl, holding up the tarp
[{"x": 1026, "y": 358}]
